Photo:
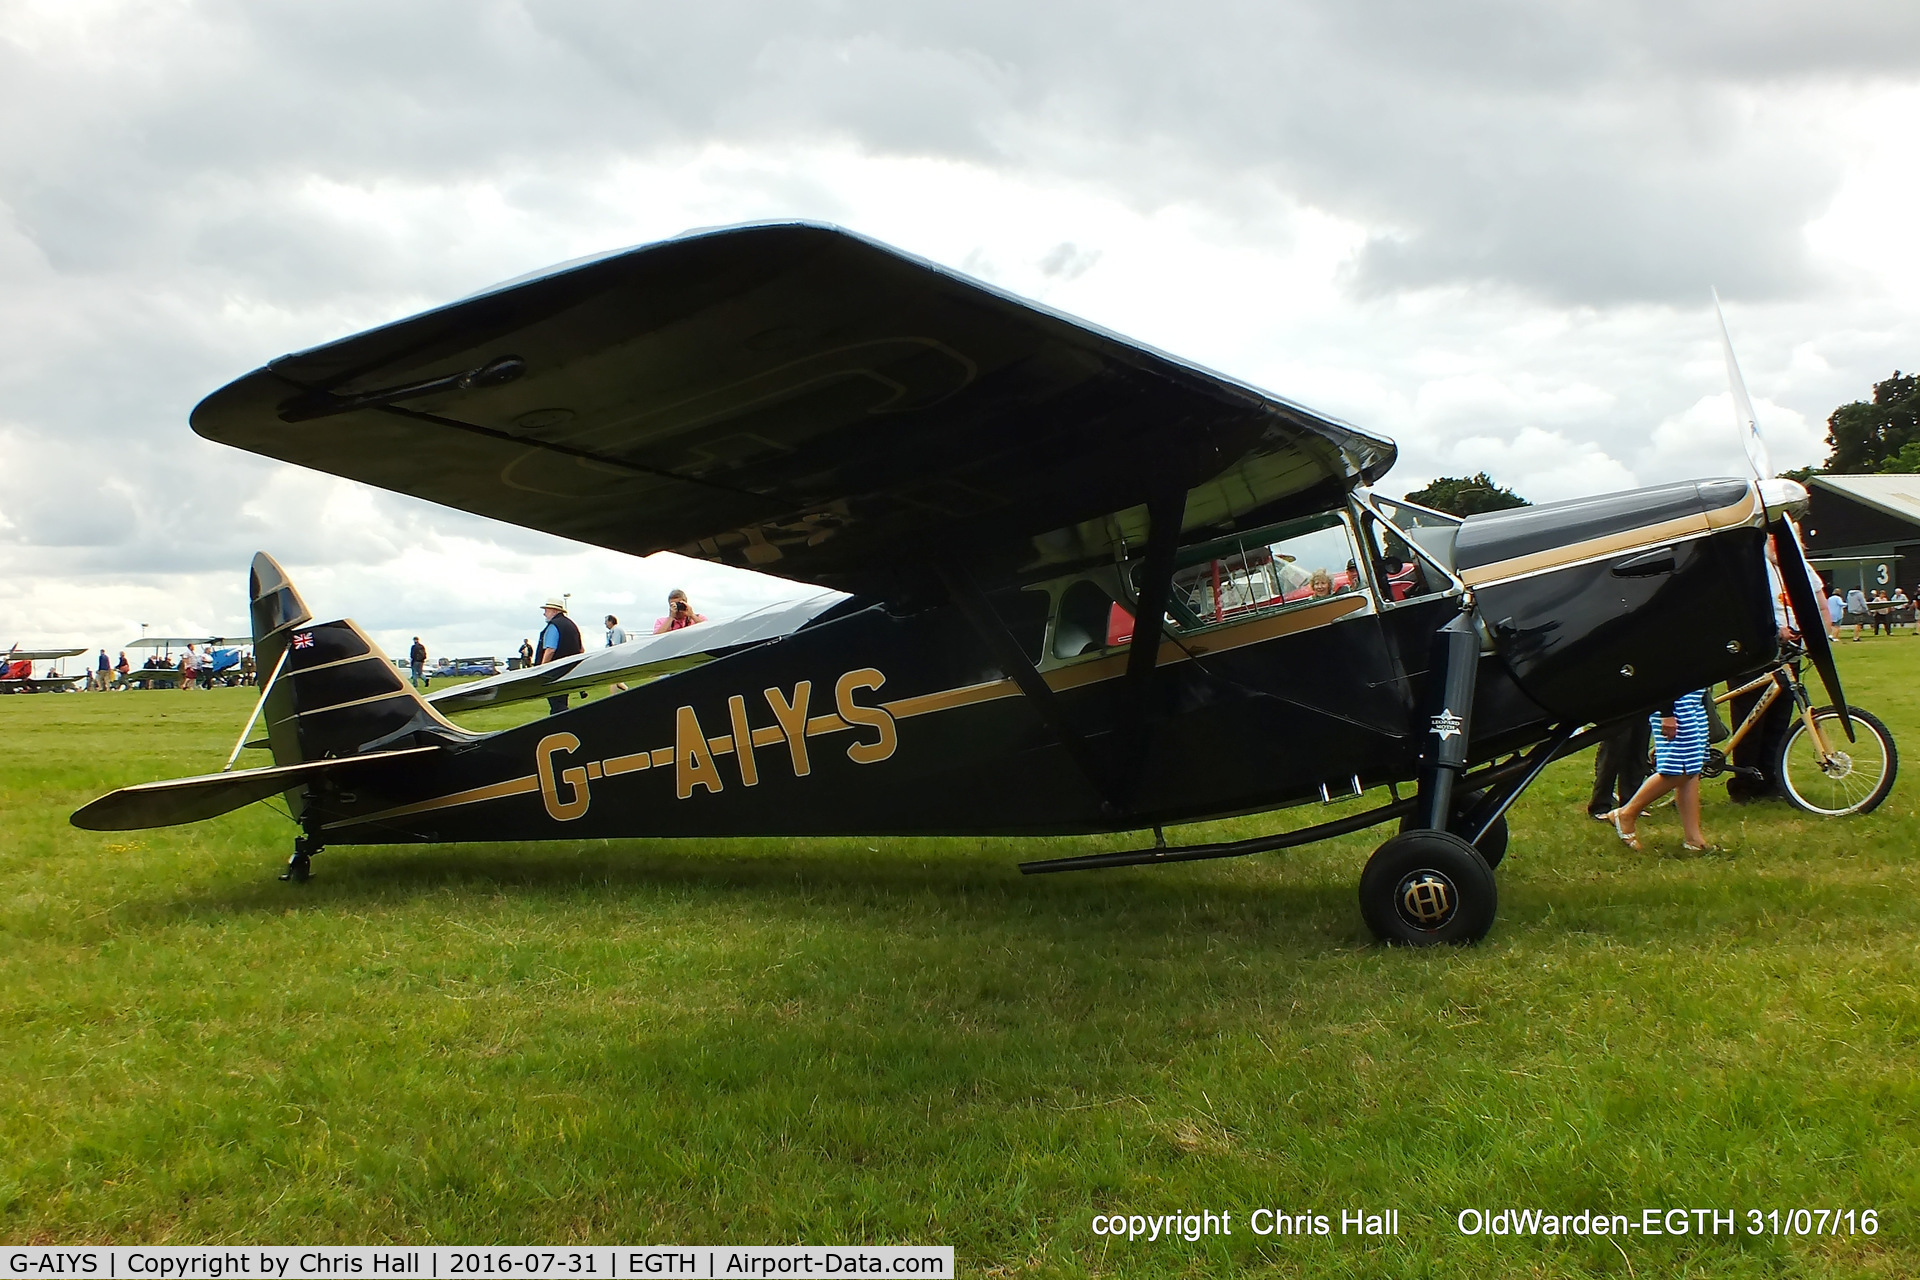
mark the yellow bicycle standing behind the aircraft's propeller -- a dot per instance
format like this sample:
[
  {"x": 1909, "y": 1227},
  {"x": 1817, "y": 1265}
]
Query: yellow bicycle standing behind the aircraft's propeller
[{"x": 1815, "y": 767}]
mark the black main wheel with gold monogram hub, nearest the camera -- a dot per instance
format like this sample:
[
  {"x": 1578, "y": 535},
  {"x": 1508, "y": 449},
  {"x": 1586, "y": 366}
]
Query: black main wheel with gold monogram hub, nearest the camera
[{"x": 1428, "y": 888}]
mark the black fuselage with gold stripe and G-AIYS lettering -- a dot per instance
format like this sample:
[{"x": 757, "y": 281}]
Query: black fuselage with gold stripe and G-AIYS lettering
[{"x": 878, "y": 723}]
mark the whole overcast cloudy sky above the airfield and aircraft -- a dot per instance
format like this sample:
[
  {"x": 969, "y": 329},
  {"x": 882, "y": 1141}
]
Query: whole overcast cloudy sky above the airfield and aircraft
[{"x": 1485, "y": 229}]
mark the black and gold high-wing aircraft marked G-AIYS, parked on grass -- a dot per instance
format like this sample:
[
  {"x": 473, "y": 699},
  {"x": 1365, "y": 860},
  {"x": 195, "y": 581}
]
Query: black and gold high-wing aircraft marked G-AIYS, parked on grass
[{"x": 1053, "y": 582}]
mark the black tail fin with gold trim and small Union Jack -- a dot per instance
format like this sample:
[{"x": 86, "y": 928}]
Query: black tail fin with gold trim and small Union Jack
[{"x": 333, "y": 692}]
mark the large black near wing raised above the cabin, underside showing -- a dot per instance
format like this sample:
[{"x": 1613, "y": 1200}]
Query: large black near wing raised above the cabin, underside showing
[{"x": 798, "y": 400}]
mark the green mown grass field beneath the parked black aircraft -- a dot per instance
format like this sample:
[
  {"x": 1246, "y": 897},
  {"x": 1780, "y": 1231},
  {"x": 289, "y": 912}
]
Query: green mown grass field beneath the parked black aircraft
[{"x": 905, "y": 1041}]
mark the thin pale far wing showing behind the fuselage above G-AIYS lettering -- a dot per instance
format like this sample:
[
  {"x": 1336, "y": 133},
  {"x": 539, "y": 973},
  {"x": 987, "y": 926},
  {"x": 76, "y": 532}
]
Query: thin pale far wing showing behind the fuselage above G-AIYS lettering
[{"x": 636, "y": 659}]
